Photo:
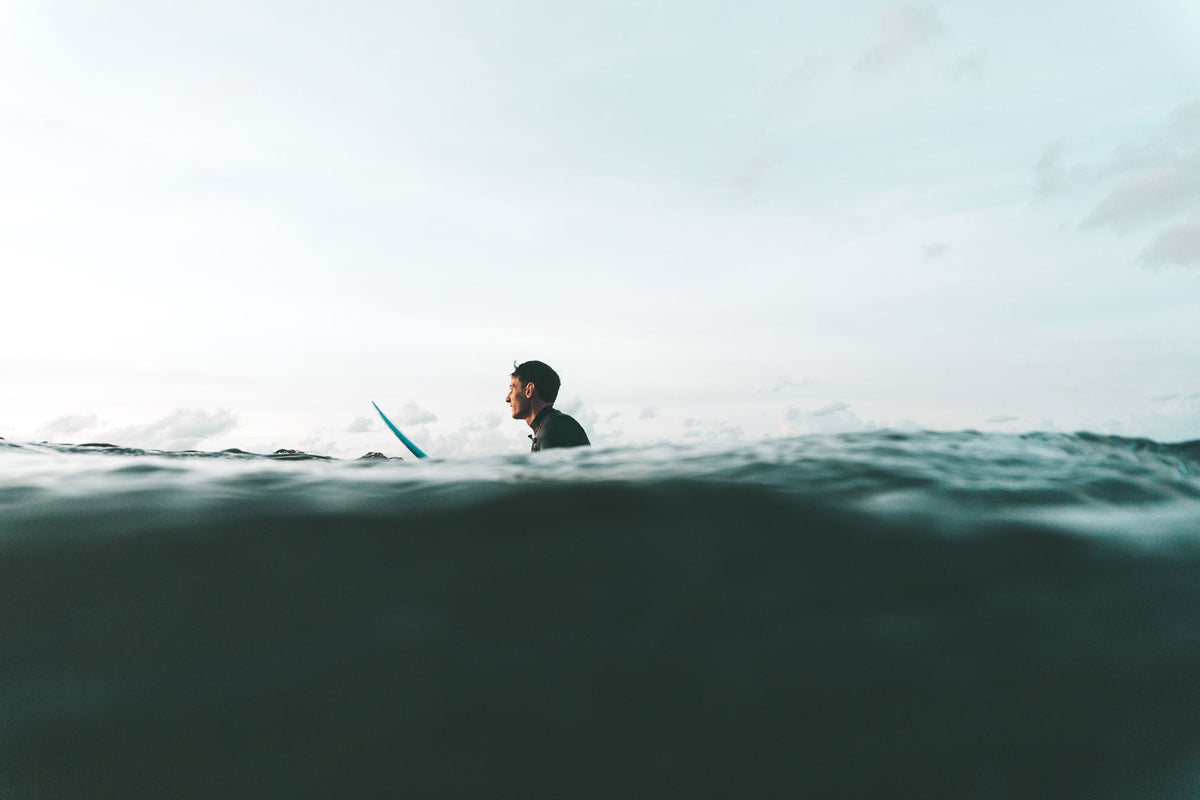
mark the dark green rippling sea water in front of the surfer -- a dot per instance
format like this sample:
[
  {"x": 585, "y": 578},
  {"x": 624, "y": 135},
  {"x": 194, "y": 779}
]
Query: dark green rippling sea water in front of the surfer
[{"x": 879, "y": 616}]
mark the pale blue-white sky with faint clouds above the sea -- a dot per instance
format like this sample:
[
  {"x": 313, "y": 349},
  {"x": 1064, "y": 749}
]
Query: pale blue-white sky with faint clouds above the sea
[{"x": 236, "y": 225}]
